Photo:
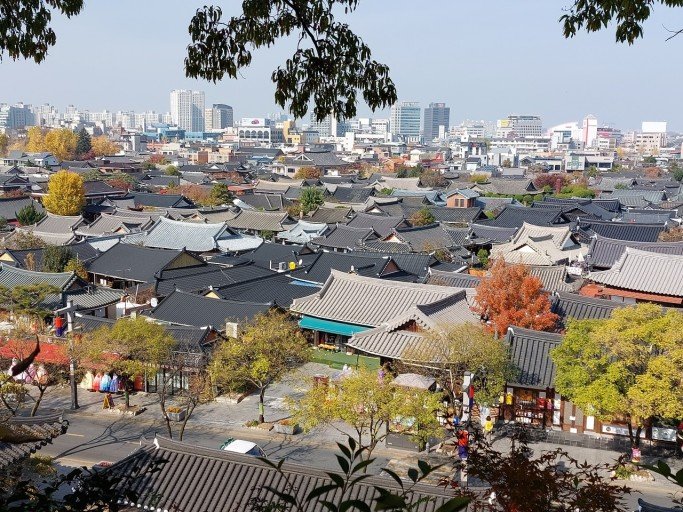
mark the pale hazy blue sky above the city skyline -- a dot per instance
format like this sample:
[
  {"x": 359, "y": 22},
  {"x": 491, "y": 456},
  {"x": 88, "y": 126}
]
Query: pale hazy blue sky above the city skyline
[{"x": 484, "y": 58}]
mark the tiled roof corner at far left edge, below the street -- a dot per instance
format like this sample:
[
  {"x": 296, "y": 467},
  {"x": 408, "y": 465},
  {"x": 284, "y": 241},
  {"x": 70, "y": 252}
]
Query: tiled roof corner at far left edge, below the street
[{"x": 26, "y": 435}]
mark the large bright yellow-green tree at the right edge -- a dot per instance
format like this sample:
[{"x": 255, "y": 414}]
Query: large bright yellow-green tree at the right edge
[{"x": 627, "y": 367}]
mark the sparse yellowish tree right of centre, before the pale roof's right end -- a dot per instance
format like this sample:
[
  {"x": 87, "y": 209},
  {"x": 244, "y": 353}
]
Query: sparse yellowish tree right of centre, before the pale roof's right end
[{"x": 451, "y": 350}]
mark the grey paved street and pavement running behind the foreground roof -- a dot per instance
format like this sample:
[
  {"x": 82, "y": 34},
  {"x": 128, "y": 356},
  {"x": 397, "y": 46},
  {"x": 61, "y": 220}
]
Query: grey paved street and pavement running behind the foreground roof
[{"x": 95, "y": 435}]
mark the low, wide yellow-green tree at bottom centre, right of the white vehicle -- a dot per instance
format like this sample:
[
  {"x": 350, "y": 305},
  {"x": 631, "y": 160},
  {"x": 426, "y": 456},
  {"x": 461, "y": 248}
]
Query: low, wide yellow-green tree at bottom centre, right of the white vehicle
[{"x": 367, "y": 400}]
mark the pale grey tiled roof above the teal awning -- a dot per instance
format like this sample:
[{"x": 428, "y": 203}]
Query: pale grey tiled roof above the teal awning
[{"x": 363, "y": 300}]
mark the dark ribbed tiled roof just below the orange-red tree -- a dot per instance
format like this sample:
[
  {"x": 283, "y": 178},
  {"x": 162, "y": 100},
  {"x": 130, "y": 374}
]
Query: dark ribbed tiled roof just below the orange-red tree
[{"x": 530, "y": 354}]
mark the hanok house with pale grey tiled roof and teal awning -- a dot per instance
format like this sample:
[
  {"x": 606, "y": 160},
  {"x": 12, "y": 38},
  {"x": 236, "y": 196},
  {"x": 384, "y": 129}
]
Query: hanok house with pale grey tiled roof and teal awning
[{"x": 349, "y": 304}]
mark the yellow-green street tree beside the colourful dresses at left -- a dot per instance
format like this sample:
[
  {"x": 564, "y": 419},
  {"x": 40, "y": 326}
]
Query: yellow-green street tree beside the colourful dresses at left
[{"x": 130, "y": 347}]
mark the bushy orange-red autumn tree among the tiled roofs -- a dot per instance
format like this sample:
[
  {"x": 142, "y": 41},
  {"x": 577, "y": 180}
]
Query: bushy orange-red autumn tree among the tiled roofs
[{"x": 509, "y": 295}]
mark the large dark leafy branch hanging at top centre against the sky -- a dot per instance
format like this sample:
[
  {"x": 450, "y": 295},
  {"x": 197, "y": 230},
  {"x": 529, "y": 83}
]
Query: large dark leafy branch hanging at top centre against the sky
[{"x": 329, "y": 71}]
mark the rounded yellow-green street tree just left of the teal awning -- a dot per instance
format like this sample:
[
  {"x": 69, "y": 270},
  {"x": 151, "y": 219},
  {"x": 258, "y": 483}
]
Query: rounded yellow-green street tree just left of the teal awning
[{"x": 267, "y": 348}]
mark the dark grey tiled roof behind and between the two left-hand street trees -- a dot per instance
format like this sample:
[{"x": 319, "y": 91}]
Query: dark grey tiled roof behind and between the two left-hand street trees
[{"x": 185, "y": 308}]
